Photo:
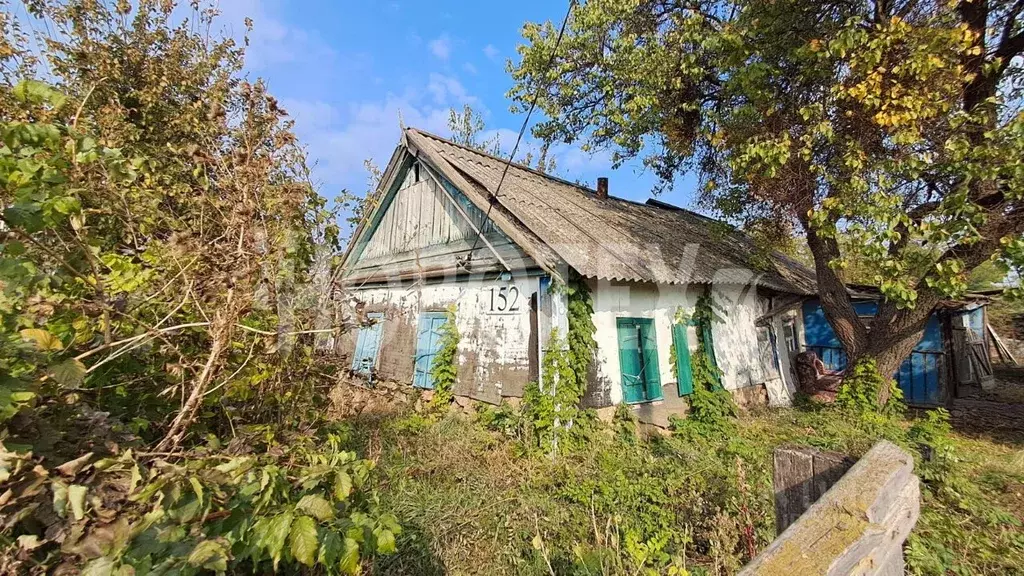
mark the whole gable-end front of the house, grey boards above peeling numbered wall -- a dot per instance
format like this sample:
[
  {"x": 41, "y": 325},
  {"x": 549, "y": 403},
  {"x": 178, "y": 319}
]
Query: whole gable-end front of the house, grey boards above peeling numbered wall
[{"x": 431, "y": 244}]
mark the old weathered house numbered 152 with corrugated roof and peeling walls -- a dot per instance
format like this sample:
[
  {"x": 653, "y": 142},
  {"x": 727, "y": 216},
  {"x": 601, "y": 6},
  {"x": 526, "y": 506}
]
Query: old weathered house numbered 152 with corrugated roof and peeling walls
[{"x": 456, "y": 229}]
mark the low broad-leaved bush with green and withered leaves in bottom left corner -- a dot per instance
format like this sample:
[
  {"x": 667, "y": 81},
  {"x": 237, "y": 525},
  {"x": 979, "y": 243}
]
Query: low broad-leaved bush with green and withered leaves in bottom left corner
[{"x": 310, "y": 506}]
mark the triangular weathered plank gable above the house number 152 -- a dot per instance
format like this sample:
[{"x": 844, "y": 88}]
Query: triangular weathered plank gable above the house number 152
[{"x": 423, "y": 231}]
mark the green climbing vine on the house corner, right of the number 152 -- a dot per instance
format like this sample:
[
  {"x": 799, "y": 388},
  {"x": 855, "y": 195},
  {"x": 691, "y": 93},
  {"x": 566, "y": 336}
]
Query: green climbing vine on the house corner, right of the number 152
[{"x": 553, "y": 410}]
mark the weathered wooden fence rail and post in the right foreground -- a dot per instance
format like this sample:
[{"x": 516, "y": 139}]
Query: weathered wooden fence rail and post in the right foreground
[{"x": 857, "y": 526}]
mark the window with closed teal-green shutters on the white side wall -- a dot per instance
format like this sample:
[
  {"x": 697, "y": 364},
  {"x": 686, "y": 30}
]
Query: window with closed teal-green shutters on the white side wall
[{"x": 638, "y": 360}]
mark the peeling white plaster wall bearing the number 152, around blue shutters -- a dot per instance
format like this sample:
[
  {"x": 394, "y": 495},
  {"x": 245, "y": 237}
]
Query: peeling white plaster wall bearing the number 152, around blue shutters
[{"x": 495, "y": 355}]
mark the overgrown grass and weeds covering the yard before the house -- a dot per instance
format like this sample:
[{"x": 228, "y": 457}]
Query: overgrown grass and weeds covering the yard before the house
[{"x": 473, "y": 501}]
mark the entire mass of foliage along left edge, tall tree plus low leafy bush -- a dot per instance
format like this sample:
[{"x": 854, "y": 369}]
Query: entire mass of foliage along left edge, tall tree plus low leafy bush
[{"x": 159, "y": 241}]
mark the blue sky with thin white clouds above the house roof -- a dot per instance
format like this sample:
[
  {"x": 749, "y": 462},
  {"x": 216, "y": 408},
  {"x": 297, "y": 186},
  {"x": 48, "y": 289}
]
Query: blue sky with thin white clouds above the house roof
[{"x": 347, "y": 71}]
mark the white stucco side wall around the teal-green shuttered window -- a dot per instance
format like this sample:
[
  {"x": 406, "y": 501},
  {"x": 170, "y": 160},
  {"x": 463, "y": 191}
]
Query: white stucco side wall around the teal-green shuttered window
[{"x": 737, "y": 311}]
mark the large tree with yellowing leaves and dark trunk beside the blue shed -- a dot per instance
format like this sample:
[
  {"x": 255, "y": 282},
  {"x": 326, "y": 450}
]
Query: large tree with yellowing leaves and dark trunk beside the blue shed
[{"x": 894, "y": 124}]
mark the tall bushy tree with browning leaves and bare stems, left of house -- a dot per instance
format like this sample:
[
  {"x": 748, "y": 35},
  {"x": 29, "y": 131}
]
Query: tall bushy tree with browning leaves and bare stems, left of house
[{"x": 152, "y": 202}]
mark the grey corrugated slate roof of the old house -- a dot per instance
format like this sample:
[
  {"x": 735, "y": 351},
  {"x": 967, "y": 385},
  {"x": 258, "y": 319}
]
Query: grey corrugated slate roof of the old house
[{"x": 616, "y": 239}]
